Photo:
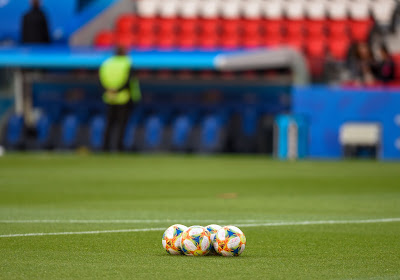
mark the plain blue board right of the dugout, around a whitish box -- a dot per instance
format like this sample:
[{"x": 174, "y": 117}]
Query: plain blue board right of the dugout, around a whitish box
[{"x": 327, "y": 108}]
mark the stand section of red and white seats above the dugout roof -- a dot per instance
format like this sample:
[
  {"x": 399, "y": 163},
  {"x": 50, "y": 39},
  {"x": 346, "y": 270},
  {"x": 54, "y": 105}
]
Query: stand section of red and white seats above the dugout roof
[{"x": 235, "y": 24}]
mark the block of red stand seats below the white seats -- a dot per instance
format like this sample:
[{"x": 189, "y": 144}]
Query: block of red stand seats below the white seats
[{"x": 335, "y": 36}]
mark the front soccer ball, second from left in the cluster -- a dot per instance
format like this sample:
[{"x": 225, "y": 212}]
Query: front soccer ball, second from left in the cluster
[{"x": 196, "y": 241}]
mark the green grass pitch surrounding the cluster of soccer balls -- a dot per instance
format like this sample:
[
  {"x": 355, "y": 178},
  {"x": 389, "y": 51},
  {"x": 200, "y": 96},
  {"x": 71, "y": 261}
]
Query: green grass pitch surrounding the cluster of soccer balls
[{"x": 56, "y": 193}]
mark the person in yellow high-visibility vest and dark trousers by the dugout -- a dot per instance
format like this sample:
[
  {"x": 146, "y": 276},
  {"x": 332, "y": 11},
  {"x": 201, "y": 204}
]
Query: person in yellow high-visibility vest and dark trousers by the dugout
[{"x": 121, "y": 92}]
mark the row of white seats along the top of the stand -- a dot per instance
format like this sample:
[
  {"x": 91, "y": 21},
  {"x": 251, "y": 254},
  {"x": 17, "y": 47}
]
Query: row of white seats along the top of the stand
[{"x": 382, "y": 10}]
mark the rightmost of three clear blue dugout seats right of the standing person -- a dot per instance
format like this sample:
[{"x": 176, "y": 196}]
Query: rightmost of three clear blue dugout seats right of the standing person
[{"x": 211, "y": 135}]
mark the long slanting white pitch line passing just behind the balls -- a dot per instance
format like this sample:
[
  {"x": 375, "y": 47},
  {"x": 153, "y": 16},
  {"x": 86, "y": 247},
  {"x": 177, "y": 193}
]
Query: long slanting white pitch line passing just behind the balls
[{"x": 300, "y": 223}]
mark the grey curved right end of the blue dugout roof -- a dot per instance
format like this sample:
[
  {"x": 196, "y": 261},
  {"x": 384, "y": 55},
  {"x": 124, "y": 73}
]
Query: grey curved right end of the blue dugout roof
[{"x": 266, "y": 59}]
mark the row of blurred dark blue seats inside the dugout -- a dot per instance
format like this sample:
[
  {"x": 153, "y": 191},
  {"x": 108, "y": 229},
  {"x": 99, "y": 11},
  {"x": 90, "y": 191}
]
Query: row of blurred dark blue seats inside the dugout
[{"x": 162, "y": 130}]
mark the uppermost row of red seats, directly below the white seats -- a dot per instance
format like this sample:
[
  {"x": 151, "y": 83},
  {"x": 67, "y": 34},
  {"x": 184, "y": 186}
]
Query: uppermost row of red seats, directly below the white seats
[{"x": 129, "y": 23}]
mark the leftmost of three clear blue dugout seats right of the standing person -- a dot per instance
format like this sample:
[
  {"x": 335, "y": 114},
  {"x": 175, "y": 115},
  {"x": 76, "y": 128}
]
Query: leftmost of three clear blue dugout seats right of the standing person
[{"x": 153, "y": 133}]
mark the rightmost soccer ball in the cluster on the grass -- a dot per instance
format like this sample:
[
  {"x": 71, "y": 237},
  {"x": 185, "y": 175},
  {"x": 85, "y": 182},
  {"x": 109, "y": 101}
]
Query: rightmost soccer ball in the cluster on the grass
[{"x": 229, "y": 241}]
